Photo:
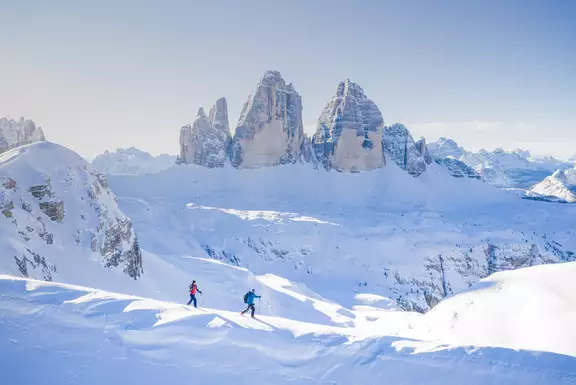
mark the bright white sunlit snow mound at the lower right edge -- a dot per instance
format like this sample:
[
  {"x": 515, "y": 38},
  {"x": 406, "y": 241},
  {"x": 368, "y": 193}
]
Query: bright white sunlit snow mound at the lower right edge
[{"x": 531, "y": 309}]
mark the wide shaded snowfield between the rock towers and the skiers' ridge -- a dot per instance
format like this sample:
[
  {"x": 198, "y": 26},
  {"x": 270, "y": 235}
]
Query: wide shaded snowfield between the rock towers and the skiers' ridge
[{"x": 415, "y": 240}]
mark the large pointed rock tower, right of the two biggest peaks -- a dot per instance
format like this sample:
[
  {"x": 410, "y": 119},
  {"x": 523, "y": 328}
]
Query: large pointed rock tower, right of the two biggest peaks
[{"x": 349, "y": 131}]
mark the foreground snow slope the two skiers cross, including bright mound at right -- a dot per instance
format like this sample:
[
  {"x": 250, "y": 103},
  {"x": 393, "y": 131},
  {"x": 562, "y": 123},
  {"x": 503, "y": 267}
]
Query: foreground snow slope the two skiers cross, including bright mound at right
[{"x": 81, "y": 335}]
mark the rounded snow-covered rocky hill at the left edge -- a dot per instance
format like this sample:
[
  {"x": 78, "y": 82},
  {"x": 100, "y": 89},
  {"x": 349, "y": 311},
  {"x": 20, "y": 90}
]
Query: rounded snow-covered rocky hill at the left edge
[{"x": 59, "y": 217}]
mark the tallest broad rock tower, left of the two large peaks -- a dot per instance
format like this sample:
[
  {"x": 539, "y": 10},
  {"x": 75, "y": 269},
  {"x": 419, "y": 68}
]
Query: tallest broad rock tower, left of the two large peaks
[{"x": 269, "y": 131}]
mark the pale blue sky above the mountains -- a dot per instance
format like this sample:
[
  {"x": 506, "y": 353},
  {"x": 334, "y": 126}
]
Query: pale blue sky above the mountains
[{"x": 108, "y": 74}]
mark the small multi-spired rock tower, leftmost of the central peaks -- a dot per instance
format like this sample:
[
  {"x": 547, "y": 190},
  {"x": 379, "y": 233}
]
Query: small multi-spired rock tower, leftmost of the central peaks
[{"x": 206, "y": 142}]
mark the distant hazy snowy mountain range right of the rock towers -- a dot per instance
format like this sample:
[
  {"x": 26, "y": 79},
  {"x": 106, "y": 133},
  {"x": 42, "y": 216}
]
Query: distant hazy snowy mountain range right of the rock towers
[{"x": 510, "y": 169}]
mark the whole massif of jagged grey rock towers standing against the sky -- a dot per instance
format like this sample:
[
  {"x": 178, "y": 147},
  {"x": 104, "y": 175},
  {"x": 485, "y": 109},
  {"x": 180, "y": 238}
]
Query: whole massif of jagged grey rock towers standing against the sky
[{"x": 351, "y": 135}]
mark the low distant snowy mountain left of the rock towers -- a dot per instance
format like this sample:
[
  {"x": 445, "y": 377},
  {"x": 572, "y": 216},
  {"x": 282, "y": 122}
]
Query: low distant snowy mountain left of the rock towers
[{"x": 132, "y": 161}]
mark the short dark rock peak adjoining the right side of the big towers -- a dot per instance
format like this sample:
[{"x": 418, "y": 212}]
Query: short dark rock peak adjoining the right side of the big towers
[{"x": 399, "y": 146}]
